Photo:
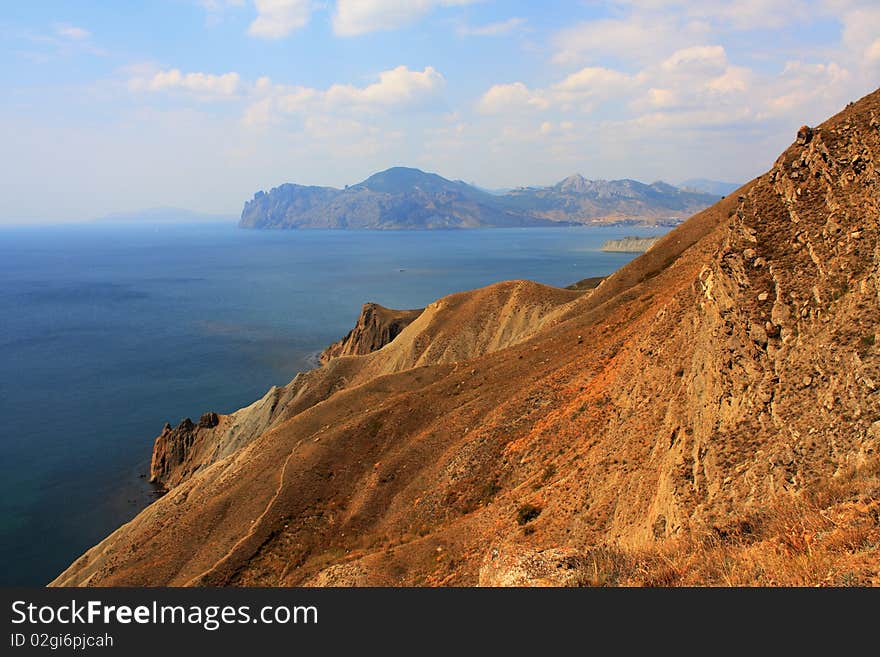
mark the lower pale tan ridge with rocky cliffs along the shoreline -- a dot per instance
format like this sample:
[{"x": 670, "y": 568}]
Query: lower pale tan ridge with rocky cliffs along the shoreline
[{"x": 456, "y": 327}]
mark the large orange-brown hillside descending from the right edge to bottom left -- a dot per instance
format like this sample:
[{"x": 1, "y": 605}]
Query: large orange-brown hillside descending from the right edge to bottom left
[{"x": 524, "y": 435}]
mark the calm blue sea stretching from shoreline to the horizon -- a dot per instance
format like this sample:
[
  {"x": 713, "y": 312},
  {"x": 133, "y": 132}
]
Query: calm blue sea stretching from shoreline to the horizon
[{"x": 106, "y": 332}]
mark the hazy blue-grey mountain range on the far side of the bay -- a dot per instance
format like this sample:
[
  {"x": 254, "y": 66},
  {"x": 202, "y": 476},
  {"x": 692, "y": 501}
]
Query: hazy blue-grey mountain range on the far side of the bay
[{"x": 405, "y": 198}]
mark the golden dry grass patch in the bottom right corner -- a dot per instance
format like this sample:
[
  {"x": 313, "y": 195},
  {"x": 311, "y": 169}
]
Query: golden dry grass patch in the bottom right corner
[{"x": 828, "y": 536}]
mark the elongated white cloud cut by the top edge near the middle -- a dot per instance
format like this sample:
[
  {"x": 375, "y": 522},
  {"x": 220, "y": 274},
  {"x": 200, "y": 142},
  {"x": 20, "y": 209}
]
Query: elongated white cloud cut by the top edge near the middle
[{"x": 354, "y": 17}]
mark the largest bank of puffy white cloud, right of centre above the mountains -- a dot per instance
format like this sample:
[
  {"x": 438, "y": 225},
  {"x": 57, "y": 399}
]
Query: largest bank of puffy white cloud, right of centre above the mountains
[{"x": 692, "y": 86}]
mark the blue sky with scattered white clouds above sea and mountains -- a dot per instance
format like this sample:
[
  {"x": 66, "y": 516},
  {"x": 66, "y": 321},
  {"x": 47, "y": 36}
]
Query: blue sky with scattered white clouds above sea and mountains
[{"x": 113, "y": 107}]
